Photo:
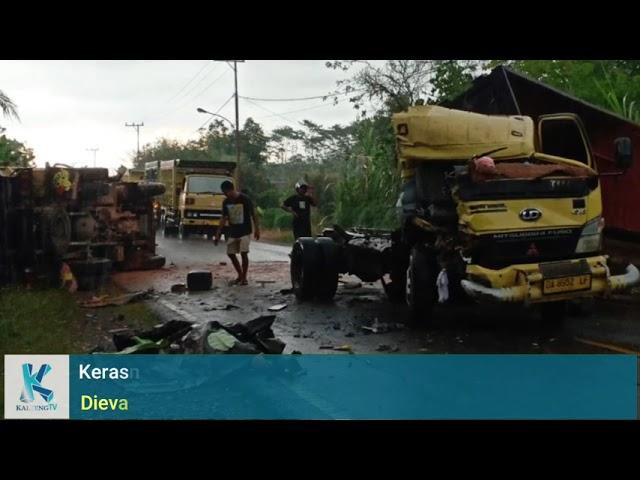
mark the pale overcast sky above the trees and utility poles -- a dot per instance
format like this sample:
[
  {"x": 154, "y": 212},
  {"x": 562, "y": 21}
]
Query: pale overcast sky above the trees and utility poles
[{"x": 66, "y": 107}]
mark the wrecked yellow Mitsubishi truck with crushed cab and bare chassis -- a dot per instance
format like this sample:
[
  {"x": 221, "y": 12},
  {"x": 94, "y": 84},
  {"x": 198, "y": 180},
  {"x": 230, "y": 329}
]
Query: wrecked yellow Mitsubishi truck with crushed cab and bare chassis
[{"x": 493, "y": 209}]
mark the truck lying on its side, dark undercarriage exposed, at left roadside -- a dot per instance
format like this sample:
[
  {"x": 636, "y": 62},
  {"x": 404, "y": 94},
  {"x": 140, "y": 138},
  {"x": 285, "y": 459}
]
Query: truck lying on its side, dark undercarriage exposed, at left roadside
[{"x": 79, "y": 216}]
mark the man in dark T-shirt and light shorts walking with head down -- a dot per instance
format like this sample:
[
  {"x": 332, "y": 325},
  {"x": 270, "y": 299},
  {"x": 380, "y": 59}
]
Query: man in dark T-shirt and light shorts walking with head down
[{"x": 237, "y": 211}]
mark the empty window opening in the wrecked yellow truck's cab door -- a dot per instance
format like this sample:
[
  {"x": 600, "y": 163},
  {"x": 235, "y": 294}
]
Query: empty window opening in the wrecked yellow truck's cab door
[{"x": 564, "y": 135}]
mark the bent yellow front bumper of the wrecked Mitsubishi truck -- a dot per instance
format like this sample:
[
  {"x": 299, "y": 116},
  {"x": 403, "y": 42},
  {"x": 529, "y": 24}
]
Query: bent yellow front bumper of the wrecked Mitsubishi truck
[{"x": 526, "y": 283}]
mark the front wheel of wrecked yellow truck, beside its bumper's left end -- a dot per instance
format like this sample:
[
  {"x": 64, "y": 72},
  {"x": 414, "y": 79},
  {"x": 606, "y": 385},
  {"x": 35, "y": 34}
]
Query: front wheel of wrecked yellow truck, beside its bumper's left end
[{"x": 421, "y": 285}]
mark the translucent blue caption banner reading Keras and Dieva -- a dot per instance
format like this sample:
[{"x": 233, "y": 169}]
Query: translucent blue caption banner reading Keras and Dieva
[{"x": 237, "y": 387}]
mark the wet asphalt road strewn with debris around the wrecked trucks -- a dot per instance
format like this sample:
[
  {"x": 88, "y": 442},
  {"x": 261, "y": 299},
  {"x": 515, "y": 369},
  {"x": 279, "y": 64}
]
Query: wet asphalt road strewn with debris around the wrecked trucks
[{"x": 606, "y": 327}]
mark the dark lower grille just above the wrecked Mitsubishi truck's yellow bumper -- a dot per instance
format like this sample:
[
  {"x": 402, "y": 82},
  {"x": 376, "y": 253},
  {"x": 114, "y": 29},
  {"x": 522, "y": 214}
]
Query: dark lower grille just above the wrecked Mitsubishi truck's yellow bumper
[{"x": 503, "y": 249}]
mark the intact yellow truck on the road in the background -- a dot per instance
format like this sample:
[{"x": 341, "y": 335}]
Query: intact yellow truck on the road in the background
[{"x": 192, "y": 203}]
